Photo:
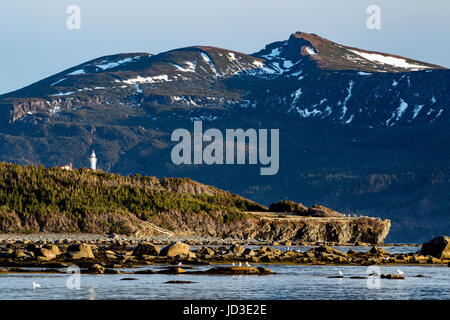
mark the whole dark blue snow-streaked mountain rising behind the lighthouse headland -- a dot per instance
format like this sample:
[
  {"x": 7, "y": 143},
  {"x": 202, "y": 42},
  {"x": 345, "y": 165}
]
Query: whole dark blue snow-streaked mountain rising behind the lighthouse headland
[{"x": 360, "y": 131}]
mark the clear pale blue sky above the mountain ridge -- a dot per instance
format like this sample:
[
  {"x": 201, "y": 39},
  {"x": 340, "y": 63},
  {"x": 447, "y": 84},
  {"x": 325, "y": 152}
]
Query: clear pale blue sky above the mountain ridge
[{"x": 36, "y": 43}]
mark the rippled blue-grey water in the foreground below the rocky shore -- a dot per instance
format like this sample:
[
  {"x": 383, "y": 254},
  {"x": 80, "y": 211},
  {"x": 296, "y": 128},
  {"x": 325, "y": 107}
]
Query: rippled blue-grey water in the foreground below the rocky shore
[{"x": 290, "y": 282}]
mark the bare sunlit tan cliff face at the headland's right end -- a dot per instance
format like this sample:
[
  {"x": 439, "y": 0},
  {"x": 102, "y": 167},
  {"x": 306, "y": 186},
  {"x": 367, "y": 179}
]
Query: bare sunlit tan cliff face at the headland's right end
[{"x": 261, "y": 227}]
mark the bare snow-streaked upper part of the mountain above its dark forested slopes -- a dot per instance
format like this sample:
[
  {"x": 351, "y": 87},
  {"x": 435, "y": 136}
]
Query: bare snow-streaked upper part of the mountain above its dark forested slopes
[{"x": 309, "y": 77}]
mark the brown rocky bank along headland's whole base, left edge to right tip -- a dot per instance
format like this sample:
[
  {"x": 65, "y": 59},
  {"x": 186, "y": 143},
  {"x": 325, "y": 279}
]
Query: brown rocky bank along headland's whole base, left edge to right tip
[{"x": 175, "y": 223}]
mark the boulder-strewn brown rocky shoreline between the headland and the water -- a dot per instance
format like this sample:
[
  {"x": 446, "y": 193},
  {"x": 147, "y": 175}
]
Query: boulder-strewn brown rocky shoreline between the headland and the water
[{"x": 106, "y": 255}]
